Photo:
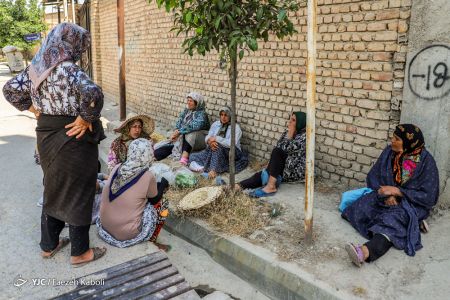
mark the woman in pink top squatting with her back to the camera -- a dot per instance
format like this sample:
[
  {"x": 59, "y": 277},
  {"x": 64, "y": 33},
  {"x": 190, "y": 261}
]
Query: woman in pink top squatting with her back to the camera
[{"x": 132, "y": 209}]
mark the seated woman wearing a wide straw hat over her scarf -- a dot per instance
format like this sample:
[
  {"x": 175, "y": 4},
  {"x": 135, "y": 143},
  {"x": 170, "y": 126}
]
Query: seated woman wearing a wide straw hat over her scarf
[{"x": 140, "y": 126}]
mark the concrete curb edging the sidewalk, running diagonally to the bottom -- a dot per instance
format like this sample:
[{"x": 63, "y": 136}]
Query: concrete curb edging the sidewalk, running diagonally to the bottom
[{"x": 262, "y": 270}]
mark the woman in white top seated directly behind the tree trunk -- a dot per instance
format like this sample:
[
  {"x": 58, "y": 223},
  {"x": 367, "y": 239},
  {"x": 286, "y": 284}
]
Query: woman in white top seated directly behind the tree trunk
[{"x": 214, "y": 159}]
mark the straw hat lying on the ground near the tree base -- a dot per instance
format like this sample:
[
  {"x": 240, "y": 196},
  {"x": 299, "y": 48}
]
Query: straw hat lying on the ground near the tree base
[{"x": 200, "y": 197}]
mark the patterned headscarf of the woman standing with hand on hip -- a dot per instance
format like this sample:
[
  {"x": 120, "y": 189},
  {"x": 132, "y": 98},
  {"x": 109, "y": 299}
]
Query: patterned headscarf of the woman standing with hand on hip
[{"x": 65, "y": 42}]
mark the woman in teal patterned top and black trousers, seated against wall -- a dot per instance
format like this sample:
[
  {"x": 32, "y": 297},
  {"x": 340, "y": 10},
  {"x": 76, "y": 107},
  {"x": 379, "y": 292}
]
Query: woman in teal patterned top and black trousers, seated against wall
[{"x": 188, "y": 135}]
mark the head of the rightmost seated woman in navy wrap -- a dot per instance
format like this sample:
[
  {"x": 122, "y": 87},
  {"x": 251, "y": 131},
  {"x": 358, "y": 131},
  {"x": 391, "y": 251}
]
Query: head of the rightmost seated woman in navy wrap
[{"x": 407, "y": 138}]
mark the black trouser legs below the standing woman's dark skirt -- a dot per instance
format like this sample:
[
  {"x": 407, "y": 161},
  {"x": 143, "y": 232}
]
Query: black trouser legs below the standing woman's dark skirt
[{"x": 51, "y": 229}]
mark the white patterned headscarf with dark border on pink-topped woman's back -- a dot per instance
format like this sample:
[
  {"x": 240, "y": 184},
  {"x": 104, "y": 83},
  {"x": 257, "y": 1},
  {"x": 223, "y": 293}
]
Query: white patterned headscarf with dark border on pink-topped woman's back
[{"x": 140, "y": 156}]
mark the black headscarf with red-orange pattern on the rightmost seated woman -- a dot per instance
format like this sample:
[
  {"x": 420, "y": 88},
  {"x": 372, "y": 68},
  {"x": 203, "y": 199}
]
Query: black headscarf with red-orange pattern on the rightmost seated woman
[{"x": 404, "y": 163}]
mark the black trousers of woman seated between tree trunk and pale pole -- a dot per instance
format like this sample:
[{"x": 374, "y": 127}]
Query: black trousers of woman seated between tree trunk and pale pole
[{"x": 275, "y": 168}]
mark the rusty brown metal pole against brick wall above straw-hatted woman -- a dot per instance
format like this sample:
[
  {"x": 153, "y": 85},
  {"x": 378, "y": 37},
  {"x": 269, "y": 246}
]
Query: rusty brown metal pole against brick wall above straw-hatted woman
[{"x": 121, "y": 48}]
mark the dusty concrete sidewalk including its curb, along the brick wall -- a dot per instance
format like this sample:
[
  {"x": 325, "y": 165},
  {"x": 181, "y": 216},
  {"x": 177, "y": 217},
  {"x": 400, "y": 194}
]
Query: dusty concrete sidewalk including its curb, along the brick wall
[{"x": 277, "y": 261}]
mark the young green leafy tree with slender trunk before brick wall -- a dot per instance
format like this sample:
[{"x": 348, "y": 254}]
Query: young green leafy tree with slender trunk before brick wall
[{"x": 233, "y": 28}]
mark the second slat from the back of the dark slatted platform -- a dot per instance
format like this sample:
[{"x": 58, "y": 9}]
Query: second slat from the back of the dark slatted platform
[{"x": 122, "y": 282}]
